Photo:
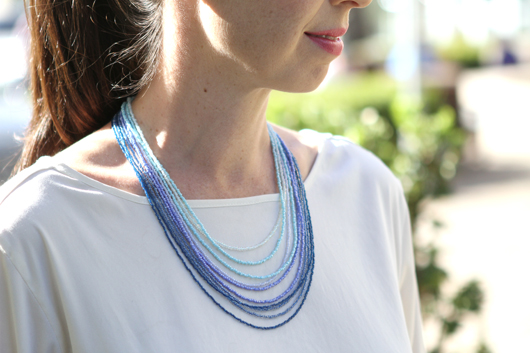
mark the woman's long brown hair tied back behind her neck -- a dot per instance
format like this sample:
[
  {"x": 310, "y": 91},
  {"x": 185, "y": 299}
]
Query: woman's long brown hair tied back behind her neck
[{"x": 86, "y": 56}]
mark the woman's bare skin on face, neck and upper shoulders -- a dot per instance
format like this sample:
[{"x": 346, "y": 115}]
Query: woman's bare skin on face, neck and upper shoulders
[{"x": 204, "y": 113}]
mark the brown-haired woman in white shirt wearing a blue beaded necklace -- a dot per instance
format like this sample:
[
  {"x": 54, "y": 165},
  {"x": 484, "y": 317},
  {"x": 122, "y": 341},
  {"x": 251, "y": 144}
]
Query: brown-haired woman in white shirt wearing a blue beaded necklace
[{"x": 252, "y": 250}]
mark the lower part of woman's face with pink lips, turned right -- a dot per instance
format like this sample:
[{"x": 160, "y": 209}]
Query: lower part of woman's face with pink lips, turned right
[{"x": 269, "y": 39}]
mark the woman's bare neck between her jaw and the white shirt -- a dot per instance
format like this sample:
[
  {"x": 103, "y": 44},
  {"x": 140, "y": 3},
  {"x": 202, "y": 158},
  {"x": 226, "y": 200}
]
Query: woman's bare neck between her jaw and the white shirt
[{"x": 210, "y": 136}]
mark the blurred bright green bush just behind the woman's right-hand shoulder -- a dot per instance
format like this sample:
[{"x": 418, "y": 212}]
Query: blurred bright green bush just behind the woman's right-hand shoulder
[{"x": 420, "y": 142}]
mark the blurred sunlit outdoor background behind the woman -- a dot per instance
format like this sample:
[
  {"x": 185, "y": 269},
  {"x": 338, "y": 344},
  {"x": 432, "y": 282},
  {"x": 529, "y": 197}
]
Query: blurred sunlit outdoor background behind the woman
[{"x": 438, "y": 90}]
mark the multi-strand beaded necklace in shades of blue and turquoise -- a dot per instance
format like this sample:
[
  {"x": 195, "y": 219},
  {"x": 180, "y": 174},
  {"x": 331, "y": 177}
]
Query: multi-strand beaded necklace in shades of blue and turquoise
[{"x": 207, "y": 259}]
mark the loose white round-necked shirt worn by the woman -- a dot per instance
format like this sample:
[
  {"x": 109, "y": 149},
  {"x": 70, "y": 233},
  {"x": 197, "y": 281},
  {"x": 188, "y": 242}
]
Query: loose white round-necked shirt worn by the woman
[{"x": 85, "y": 267}]
